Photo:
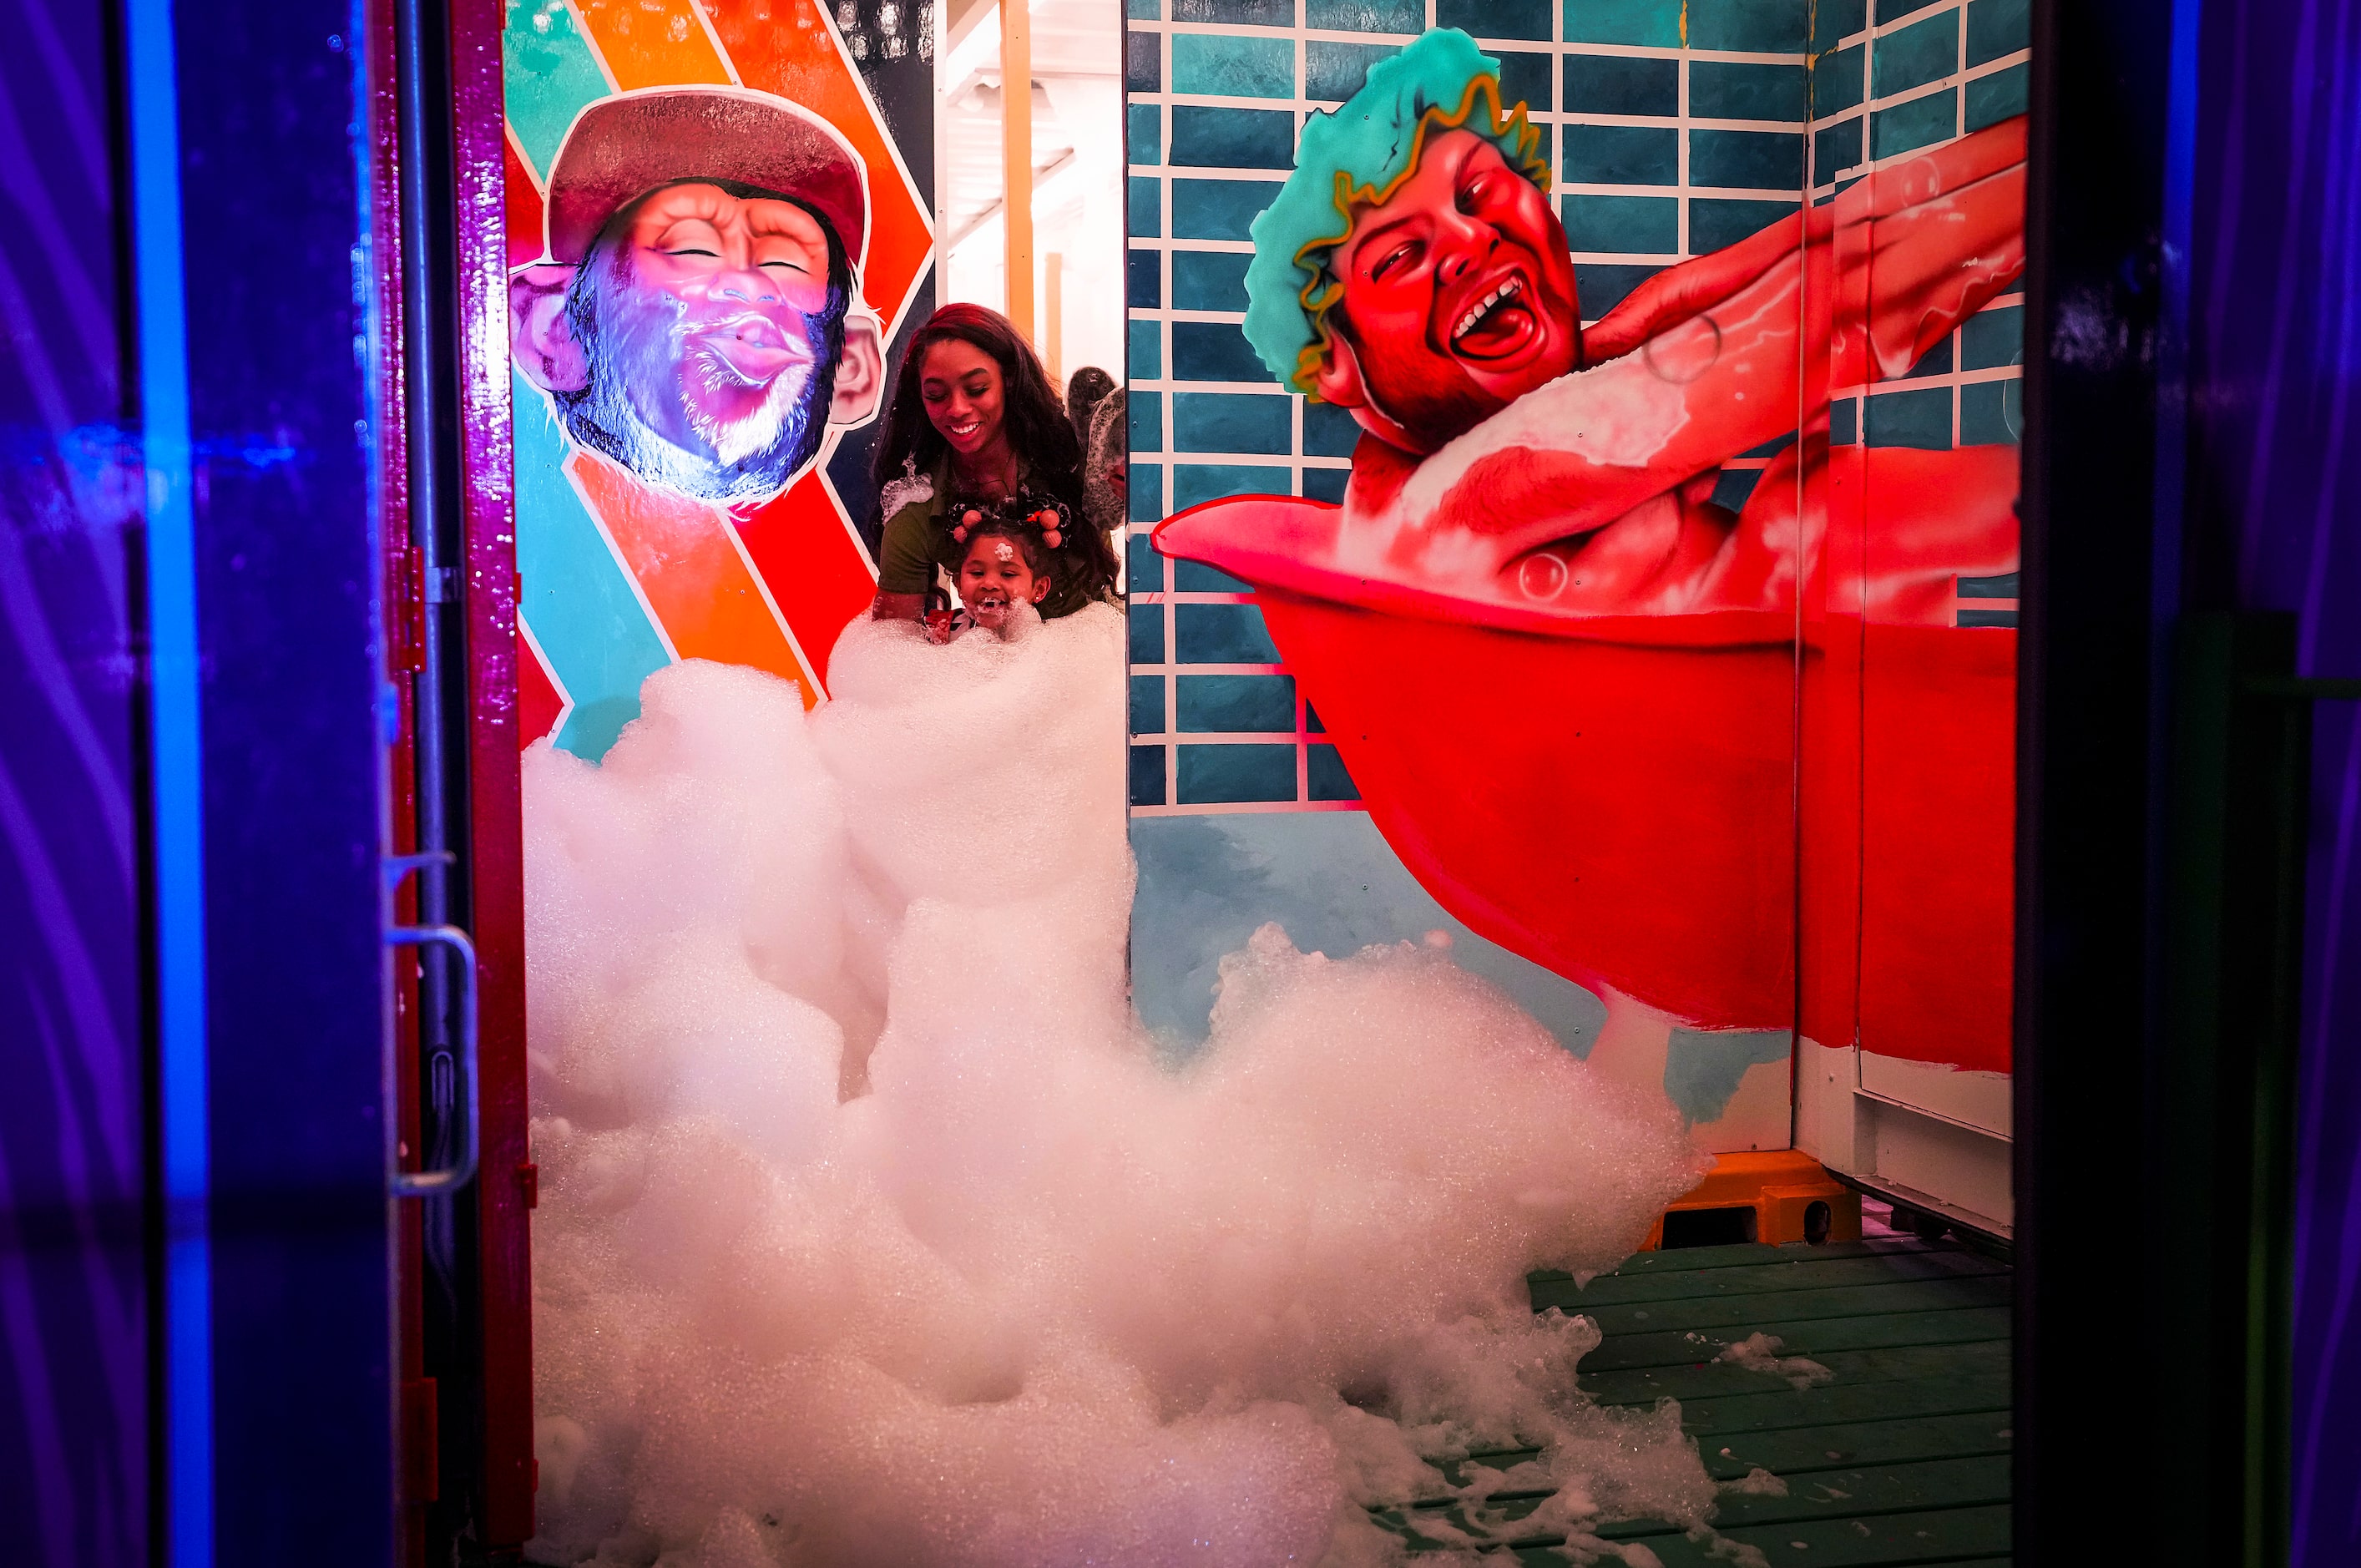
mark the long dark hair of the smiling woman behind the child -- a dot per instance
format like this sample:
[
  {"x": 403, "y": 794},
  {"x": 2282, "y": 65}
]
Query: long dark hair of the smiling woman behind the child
[{"x": 1031, "y": 412}]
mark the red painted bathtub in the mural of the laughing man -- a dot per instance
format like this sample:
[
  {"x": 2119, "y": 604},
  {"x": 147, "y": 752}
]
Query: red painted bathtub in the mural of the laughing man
[{"x": 1623, "y": 799}]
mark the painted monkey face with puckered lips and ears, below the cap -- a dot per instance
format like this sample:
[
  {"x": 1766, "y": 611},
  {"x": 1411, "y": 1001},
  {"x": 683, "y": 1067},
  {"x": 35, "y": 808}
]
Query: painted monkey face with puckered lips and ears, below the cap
[{"x": 705, "y": 344}]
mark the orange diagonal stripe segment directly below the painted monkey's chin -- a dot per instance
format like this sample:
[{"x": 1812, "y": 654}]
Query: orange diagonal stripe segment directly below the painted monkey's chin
[{"x": 693, "y": 573}]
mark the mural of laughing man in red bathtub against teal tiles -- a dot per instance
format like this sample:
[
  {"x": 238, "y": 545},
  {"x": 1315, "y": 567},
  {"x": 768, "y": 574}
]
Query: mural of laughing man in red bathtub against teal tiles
[{"x": 1727, "y": 757}]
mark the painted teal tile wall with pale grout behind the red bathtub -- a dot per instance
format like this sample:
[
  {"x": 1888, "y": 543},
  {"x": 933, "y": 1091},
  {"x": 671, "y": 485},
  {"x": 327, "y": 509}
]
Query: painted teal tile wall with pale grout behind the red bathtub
[{"x": 1673, "y": 131}]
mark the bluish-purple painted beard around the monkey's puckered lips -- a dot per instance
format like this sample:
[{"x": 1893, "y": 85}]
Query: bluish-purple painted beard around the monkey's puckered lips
[{"x": 641, "y": 353}]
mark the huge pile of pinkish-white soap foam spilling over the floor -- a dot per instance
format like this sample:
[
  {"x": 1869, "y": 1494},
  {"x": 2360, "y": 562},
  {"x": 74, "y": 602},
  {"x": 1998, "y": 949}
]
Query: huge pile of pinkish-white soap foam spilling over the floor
[{"x": 875, "y": 1231}]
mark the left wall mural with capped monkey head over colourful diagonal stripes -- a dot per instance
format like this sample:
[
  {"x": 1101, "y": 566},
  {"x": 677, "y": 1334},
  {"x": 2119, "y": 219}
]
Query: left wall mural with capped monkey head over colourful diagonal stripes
[{"x": 714, "y": 240}]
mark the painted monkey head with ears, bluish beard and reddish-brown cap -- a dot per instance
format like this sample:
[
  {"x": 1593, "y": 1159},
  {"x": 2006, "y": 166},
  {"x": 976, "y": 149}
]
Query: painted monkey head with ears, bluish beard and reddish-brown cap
[{"x": 695, "y": 322}]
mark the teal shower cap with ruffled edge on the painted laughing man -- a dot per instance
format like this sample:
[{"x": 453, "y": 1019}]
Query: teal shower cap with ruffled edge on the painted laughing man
[{"x": 1359, "y": 157}]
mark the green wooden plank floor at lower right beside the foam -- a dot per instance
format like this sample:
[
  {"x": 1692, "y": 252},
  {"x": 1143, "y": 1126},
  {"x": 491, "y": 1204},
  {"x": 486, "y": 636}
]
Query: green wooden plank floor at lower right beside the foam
[{"x": 1899, "y": 1458}]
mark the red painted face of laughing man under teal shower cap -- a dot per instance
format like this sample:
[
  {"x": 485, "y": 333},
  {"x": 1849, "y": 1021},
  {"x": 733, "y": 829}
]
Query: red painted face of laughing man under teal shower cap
[{"x": 1458, "y": 299}]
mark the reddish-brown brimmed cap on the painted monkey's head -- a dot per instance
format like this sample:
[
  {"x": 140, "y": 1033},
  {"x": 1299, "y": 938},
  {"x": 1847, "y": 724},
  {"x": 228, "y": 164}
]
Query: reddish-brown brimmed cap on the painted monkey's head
[{"x": 627, "y": 145}]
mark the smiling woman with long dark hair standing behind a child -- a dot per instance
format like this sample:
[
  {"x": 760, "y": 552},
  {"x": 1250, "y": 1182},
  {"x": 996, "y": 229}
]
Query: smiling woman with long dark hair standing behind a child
[{"x": 974, "y": 419}]
